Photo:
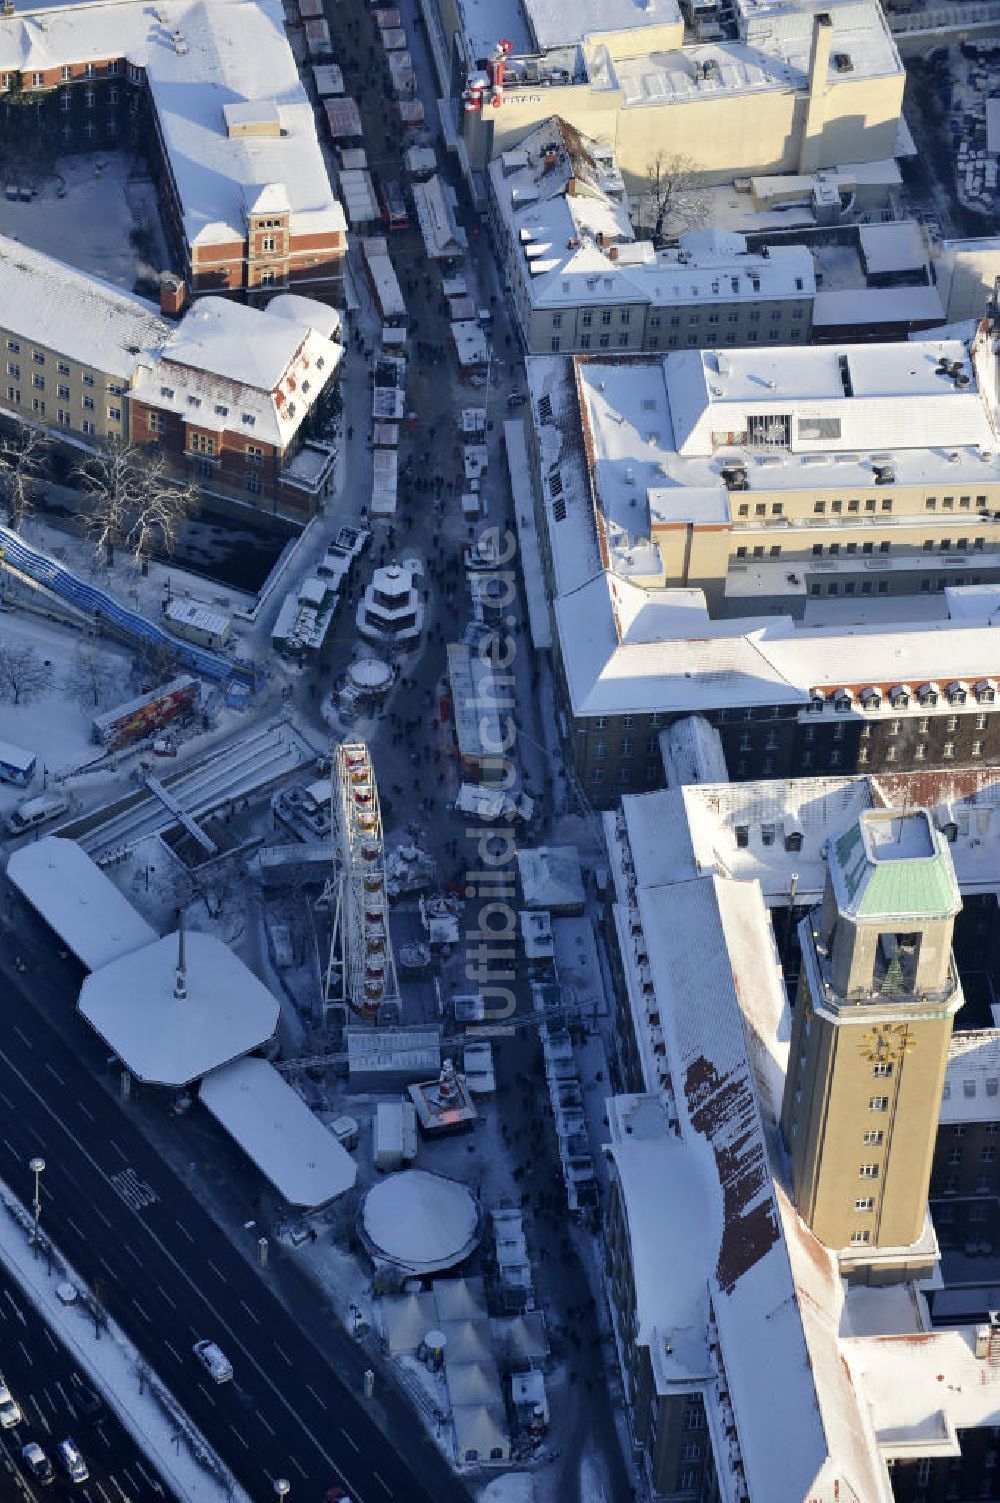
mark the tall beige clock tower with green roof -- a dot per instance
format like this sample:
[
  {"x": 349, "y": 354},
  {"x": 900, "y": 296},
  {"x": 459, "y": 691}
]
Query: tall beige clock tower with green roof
[{"x": 871, "y": 1032}]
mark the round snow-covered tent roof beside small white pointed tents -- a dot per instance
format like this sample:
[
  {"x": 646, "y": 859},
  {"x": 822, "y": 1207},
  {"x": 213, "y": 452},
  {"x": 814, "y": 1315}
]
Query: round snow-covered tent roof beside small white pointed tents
[{"x": 419, "y": 1221}]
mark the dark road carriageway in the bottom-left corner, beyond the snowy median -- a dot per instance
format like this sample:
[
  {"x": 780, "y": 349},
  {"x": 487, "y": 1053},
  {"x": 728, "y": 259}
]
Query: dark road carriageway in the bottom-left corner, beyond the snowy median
[{"x": 56, "y": 1402}]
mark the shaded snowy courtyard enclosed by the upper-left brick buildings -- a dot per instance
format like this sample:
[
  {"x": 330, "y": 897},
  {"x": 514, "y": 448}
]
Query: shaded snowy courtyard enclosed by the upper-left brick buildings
[{"x": 106, "y": 199}]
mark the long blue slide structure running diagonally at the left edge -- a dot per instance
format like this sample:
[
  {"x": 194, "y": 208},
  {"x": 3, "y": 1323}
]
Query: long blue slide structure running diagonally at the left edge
[{"x": 118, "y": 620}]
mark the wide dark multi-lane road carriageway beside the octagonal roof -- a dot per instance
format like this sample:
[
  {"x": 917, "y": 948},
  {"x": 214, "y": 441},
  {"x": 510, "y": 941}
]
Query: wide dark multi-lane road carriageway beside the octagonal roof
[{"x": 171, "y": 1277}]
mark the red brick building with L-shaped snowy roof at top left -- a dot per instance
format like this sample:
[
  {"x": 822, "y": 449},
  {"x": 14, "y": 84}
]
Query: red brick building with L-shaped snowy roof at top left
[{"x": 244, "y": 184}]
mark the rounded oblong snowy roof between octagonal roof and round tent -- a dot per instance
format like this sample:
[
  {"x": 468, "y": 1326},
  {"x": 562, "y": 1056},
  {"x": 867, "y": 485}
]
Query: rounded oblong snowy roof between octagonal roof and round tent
[{"x": 276, "y": 1130}]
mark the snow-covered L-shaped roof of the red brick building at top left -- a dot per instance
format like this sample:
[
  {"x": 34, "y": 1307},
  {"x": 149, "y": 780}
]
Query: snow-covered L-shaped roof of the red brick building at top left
[{"x": 202, "y": 56}]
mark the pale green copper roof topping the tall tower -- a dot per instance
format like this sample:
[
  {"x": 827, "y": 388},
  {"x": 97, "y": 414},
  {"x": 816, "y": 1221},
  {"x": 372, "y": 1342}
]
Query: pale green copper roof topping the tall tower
[{"x": 894, "y": 865}]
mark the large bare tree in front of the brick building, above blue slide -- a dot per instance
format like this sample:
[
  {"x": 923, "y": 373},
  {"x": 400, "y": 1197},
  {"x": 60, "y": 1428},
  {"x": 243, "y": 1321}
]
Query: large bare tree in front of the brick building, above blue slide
[{"x": 135, "y": 503}]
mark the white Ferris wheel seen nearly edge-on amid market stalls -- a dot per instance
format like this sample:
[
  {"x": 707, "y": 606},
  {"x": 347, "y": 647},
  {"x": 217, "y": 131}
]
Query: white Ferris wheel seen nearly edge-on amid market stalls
[{"x": 362, "y": 970}]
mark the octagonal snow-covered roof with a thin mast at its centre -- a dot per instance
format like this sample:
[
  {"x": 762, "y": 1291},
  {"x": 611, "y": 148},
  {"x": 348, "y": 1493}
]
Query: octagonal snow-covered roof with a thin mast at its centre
[{"x": 174, "y": 1041}]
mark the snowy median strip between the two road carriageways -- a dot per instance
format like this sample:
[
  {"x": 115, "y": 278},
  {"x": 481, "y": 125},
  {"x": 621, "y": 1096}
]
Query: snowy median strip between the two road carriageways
[{"x": 151, "y": 1414}]
